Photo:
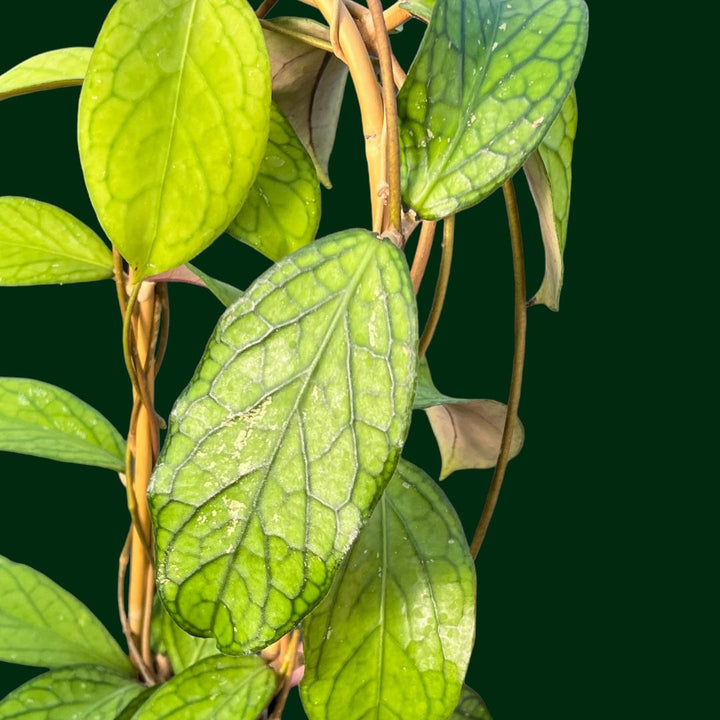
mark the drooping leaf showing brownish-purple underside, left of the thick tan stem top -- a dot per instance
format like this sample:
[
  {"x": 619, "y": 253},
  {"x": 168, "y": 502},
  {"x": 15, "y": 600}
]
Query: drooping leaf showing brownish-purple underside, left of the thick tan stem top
[{"x": 308, "y": 85}]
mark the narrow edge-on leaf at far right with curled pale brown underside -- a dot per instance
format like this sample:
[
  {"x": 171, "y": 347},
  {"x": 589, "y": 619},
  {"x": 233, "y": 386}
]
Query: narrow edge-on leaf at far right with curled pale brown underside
[{"x": 549, "y": 174}]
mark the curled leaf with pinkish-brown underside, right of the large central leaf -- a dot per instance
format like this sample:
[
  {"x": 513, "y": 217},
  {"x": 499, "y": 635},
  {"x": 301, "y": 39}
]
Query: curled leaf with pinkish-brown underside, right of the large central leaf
[{"x": 468, "y": 432}]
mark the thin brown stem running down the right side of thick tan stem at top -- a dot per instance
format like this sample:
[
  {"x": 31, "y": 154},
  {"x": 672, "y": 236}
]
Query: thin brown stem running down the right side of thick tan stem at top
[{"x": 392, "y": 141}]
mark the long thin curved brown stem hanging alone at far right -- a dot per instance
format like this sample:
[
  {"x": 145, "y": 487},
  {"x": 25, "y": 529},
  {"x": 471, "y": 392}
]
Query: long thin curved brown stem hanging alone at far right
[{"x": 518, "y": 363}]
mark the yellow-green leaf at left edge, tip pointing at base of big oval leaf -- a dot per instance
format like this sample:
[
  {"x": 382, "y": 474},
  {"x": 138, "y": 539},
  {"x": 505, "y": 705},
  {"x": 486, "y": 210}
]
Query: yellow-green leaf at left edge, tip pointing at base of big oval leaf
[{"x": 41, "y": 244}]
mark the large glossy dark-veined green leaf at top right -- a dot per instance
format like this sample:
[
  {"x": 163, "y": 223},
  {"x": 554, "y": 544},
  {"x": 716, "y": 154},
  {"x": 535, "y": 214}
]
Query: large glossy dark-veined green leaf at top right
[{"x": 488, "y": 80}]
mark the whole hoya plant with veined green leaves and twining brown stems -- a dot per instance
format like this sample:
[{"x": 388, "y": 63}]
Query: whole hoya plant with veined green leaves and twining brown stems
[{"x": 277, "y": 536}]
